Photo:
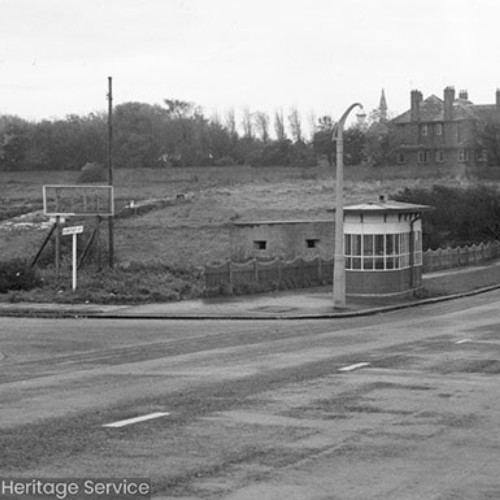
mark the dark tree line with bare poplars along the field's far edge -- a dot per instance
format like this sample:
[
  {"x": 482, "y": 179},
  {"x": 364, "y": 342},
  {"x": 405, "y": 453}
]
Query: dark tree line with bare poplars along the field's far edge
[{"x": 178, "y": 134}]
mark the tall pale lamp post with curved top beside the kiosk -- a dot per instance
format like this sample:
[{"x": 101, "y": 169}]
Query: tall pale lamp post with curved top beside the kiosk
[{"x": 339, "y": 260}]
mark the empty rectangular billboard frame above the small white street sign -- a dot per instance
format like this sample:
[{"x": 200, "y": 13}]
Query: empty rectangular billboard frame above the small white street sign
[{"x": 65, "y": 200}]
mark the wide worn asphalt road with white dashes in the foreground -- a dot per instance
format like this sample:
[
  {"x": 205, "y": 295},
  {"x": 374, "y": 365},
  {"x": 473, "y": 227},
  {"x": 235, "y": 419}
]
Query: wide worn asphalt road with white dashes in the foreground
[{"x": 403, "y": 405}]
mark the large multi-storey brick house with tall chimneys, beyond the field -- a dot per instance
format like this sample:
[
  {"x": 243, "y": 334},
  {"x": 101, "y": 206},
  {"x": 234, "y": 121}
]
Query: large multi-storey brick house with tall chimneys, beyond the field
[{"x": 443, "y": 132}]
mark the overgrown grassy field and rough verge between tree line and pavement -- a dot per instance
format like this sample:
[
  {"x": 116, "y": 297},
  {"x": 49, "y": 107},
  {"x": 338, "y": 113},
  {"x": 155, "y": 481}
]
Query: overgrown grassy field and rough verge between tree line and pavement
[{"x": 178, "y": 239}]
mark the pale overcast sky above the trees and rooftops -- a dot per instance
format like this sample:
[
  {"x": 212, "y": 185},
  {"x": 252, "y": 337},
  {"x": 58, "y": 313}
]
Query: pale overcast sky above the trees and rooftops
[{"x": 317, "y": 55}]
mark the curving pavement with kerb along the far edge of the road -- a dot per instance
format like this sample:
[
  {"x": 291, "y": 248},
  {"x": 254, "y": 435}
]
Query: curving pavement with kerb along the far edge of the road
[{"x": 297, "y": 304}]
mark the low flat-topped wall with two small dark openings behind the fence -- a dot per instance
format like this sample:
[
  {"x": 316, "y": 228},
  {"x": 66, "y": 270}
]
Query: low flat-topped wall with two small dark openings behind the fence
[{"x": 286, "y": 239}]
